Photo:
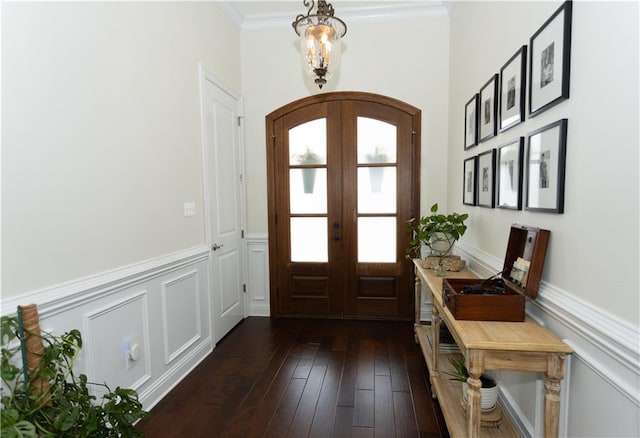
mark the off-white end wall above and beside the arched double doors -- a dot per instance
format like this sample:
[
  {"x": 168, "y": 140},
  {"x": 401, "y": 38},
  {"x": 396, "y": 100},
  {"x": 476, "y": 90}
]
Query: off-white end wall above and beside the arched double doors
[{"x": 406, "y": 58}]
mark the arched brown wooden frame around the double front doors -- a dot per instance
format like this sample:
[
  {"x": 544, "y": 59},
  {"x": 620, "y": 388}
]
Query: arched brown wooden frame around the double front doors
[{"x": 416, "y": 118}]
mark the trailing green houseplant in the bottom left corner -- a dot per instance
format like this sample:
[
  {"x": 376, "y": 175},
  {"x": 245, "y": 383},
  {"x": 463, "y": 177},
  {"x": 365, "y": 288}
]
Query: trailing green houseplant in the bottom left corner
[{"x": 65, "y": 407}]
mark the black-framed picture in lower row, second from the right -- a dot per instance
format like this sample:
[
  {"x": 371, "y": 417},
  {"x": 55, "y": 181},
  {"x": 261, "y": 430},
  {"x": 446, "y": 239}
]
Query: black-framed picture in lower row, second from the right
[{"x": 509, "y": 175}]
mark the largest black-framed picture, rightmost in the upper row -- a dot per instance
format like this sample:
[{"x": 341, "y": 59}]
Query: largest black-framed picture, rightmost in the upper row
[{"x": 549, "y": 61}]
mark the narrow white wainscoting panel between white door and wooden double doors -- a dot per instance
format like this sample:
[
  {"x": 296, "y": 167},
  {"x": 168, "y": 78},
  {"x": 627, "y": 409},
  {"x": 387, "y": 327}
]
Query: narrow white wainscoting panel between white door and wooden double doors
[{"x": 258, "y": 279}]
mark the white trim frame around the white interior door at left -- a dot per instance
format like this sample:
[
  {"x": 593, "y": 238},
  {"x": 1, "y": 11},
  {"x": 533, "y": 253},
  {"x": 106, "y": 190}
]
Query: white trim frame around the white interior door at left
[{"x": 204, "y": 75}]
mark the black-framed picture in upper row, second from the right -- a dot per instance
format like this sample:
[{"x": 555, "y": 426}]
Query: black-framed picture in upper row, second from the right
[{"x": 512, "y": 89}]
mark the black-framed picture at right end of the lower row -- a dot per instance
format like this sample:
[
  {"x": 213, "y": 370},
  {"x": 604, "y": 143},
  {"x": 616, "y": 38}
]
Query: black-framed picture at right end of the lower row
[{"x": 546, "y": 152}]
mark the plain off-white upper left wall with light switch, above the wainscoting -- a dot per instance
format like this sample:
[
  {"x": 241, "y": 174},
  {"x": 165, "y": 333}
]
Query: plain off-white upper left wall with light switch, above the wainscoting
[{"x": 101, "y": 133}]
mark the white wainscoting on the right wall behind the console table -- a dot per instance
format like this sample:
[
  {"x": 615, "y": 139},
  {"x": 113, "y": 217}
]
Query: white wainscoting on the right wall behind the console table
[{"x": 600, "y": 395}]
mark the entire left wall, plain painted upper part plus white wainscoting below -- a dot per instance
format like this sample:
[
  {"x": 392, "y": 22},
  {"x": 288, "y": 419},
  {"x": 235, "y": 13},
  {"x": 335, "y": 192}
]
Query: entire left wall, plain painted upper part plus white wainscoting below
[{"x": 101, "y": 146}]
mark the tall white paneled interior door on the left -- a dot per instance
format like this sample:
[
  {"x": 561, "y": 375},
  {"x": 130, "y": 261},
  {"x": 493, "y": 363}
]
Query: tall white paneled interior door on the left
[{"x": 224, "y": 203}]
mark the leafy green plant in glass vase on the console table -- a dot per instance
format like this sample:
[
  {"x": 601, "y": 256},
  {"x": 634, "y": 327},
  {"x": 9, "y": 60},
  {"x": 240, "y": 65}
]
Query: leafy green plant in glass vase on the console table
[{"x": 438, "y": 232}]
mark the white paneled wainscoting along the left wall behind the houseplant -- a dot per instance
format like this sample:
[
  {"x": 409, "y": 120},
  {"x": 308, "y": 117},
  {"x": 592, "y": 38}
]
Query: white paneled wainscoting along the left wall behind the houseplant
[{"x": 161, "y": 305}]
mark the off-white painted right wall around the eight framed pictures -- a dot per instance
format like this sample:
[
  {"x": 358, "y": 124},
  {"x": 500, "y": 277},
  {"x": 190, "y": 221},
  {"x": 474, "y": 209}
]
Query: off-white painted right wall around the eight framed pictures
[{"x": 593, "y": 251}]
